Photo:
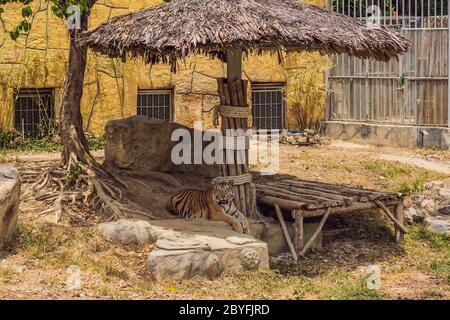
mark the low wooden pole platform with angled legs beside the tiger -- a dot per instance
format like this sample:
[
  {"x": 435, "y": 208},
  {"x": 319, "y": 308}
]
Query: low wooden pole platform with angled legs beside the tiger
[{"x": 307, "y": 199}]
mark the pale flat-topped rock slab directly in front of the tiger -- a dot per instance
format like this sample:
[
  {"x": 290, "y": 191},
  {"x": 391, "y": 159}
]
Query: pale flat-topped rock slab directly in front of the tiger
[{"x": 188, "y": 248}]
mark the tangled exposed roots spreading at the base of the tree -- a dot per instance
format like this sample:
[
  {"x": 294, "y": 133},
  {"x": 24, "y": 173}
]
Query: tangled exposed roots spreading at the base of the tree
[{"x": 79, "y": 192}]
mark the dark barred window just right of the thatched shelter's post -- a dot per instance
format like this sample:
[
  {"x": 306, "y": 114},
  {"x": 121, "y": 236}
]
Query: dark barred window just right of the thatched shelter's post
[{"x": 268, "y": 106}]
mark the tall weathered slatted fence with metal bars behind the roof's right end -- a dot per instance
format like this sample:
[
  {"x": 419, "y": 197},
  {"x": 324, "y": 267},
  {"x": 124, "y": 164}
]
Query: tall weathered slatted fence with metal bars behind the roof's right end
[{"x": 412, "y": 90}]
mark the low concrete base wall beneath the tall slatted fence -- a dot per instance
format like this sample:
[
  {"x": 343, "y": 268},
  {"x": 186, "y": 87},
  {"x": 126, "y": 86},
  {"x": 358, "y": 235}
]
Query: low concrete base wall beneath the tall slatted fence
[{"x": 388, "y": 135}]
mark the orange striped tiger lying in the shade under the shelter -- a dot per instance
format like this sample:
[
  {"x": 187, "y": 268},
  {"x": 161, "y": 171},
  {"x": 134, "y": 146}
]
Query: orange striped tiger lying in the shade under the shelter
[{"x": 216, "y": 203}]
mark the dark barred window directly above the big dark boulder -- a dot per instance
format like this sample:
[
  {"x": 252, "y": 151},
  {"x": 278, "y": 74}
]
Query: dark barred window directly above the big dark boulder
[{"x": 155, "y": 104}]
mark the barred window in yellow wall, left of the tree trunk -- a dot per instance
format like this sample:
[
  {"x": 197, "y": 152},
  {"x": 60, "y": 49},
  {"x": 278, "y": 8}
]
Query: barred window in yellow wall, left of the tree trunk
[{"x": 33, "y": 111}]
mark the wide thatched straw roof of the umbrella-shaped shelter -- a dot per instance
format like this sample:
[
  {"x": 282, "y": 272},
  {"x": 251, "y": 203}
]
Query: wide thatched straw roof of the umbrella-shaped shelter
[{"x": 171, "y": 31}]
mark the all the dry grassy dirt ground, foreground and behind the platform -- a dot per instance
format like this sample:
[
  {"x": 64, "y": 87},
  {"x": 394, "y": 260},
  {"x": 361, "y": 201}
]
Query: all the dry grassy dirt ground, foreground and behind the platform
[{"x": 35, "y": 267}]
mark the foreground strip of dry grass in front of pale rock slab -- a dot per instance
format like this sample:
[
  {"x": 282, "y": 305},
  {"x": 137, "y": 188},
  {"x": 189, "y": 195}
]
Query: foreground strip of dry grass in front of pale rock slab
[{"x": 117, "y": 271}]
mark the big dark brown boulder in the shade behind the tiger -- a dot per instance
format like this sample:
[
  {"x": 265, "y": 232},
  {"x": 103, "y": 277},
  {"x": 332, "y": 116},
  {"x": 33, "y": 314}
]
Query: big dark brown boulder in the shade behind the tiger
[{"x": 138, "y": 143}]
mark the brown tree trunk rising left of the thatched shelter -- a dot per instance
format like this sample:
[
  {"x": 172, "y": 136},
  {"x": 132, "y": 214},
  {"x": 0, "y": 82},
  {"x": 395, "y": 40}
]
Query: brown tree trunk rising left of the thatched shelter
[{"x": 71, "y": 122}]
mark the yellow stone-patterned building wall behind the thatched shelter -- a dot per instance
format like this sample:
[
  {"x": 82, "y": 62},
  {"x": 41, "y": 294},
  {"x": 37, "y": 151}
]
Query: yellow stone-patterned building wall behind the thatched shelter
[{"x": 38, "y": 60}]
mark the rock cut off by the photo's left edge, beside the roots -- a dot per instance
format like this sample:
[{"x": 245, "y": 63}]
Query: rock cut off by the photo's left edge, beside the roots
[{"x": 9, "y": 203}]
